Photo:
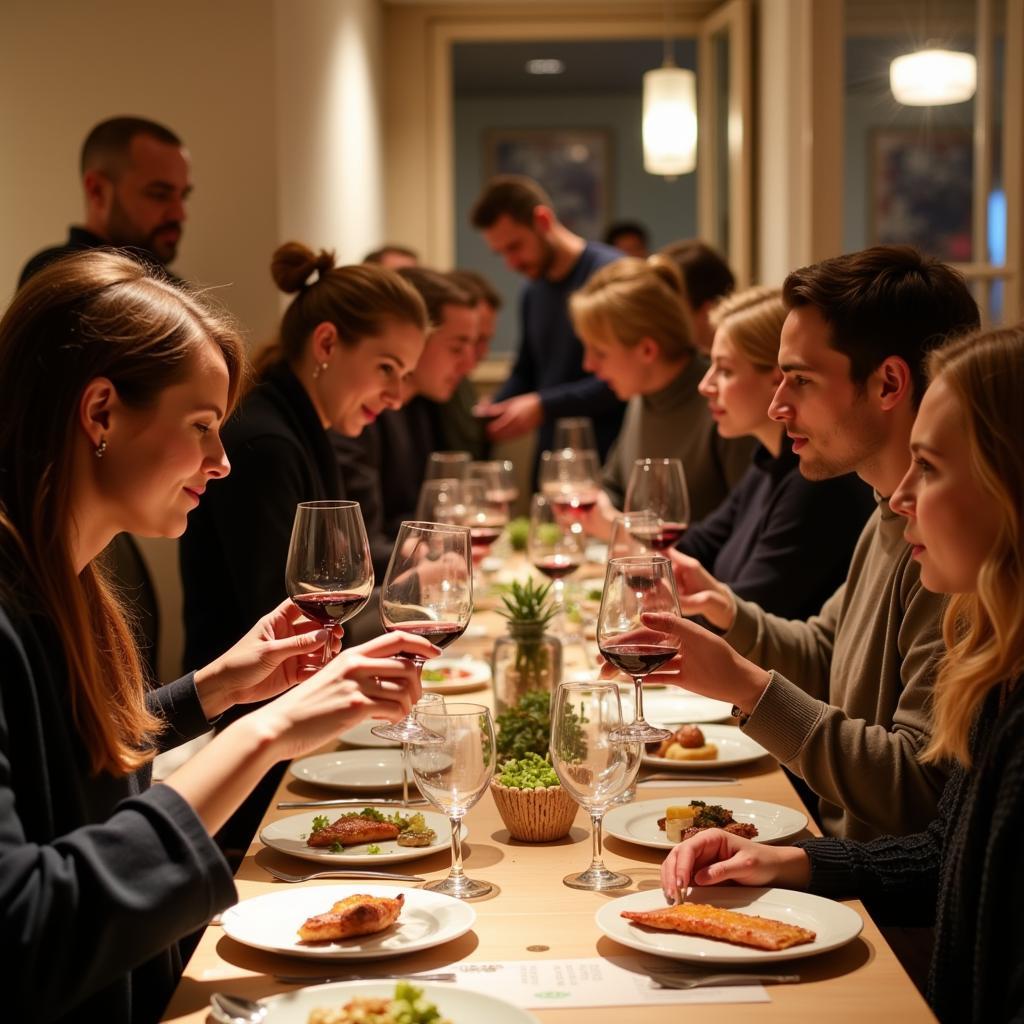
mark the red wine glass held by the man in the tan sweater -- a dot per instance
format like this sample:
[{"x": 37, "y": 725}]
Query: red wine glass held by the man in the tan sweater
[{"x": 633, "y": 586}]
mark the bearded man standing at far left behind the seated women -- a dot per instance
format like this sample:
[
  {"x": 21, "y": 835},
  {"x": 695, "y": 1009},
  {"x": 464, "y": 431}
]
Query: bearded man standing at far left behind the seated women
[{"x": 136, "y": 180}]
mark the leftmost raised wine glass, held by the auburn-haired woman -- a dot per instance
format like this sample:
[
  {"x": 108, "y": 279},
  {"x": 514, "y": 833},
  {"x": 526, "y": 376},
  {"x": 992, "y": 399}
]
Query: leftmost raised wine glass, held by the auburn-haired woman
[{"x": 330, "y": 574}]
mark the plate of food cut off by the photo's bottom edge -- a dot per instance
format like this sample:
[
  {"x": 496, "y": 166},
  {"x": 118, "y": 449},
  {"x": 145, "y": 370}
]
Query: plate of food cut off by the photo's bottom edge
[{"x": 350, "y": 1002}]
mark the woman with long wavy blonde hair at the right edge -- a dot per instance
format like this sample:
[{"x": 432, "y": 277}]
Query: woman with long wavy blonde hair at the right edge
[{"x": 963, "y": 498}]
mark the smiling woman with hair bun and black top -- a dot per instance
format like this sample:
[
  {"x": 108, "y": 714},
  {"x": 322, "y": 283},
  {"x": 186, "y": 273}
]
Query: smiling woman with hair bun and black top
[{"x": 347, "y": 342}]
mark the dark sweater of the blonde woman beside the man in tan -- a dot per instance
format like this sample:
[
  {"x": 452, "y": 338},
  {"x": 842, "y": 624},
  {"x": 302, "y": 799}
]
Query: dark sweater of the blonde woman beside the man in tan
[{"x": 781, "y": 540}]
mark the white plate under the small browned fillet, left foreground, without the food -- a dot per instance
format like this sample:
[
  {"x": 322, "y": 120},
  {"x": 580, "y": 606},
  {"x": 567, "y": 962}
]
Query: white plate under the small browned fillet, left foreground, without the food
[{"x": 272, "y": 922}]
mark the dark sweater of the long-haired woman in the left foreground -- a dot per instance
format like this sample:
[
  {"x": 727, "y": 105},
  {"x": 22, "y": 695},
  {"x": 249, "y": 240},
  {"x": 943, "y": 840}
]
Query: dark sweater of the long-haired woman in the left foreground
[{"x": 100, "y": 876}]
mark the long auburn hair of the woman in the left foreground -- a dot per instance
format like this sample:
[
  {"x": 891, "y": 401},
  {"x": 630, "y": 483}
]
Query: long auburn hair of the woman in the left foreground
[{"x": 91, "y": 315}]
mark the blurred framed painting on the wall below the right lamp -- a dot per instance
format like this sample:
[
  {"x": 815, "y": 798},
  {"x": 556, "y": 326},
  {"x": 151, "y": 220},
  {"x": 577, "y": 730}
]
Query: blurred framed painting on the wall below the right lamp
[{"x": 921, "y": 191}]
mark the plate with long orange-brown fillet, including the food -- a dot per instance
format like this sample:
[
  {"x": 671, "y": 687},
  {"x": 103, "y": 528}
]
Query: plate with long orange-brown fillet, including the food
[{"x": 731, "y": 924}]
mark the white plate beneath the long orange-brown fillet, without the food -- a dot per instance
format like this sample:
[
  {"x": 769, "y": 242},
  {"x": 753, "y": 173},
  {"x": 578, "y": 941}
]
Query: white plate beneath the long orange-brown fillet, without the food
[{"x": 834, "y": 924}]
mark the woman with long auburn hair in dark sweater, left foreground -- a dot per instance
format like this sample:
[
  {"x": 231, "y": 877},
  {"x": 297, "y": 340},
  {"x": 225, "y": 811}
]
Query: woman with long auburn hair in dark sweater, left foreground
[{"x": 114, "y": 388}]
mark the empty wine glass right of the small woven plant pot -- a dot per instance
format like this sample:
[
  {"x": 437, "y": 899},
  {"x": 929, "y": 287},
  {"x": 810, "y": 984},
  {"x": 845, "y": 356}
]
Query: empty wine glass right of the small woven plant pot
[{"x": 593, "y": 763}]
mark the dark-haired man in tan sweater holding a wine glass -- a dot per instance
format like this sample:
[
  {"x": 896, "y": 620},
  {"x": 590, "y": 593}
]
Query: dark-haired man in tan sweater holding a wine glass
[{"x": 845, "y": 705}]
